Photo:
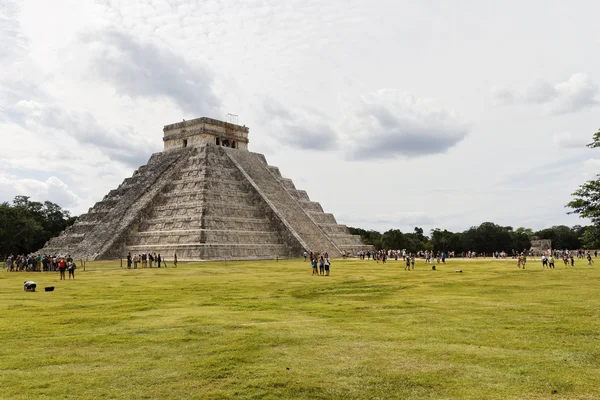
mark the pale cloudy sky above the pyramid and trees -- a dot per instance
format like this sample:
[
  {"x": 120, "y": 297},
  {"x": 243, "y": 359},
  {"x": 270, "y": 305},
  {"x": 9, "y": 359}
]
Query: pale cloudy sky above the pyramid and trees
[{"x": 391, "y": 114}]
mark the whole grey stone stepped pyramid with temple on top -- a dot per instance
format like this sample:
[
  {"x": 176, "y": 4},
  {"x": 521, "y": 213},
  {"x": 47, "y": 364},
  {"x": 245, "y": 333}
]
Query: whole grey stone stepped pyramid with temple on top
[{"x": 205, "y": 197}]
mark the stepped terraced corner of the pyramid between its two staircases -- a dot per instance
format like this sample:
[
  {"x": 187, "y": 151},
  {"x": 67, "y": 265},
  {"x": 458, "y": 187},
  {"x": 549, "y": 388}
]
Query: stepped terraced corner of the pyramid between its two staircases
[{"x": 209, "y": 211}]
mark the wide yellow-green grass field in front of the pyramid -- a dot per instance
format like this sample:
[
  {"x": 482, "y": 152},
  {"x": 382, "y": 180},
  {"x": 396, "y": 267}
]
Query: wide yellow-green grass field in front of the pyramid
[{"x": 270, "y": 330}]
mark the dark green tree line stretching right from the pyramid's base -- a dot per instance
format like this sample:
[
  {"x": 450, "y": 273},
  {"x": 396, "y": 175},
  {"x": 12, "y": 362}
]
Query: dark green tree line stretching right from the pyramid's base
[{"x": 485, "y": 238}]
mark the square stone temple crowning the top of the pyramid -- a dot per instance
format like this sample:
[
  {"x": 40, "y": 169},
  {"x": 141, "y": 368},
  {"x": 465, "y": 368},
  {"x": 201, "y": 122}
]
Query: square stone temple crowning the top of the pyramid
[{"x": 201, "y": 131}]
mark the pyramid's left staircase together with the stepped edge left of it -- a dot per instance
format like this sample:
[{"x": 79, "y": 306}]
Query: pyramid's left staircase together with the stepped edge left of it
[{"x": 96, "y": 233}]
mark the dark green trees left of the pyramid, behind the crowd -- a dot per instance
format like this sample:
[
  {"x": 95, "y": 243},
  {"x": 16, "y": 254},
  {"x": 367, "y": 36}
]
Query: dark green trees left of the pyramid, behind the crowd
[{"x": 25, "y": 225}]
